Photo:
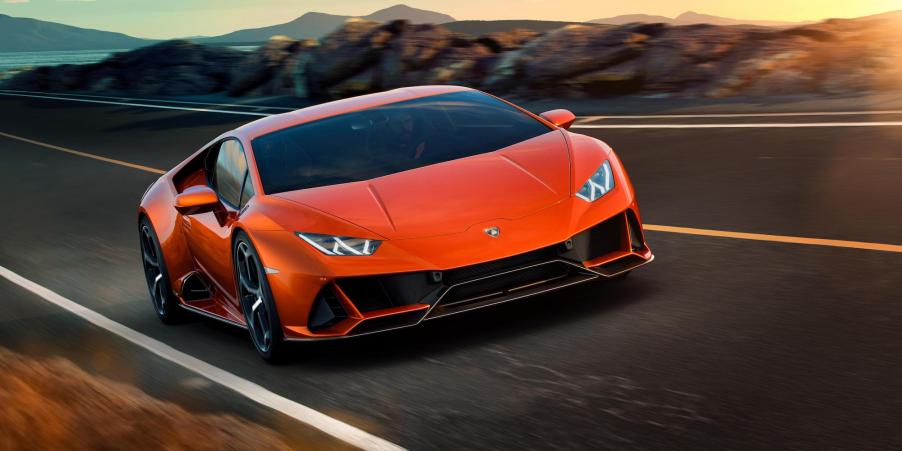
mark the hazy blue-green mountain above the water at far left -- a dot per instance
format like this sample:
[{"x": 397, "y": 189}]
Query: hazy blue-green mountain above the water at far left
[{"x": 19, "y": 34}]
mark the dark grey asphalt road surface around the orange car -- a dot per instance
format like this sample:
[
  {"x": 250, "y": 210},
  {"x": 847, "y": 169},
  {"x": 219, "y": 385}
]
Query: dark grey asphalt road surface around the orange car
[{"x": 721, "y": 343}]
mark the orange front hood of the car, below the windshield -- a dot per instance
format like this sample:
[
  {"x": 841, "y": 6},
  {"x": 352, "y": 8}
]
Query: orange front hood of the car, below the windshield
[{"x": 450, "y": 197}]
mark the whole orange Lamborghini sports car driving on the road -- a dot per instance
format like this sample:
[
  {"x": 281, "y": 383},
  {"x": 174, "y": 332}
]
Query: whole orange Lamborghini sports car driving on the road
[{"x": 379, "y": 212}]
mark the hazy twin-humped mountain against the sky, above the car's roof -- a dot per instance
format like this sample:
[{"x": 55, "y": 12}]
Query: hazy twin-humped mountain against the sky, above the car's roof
[{"x": 315, "y": 25}]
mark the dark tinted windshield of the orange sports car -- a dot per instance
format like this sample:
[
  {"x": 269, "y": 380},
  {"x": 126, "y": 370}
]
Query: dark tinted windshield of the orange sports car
[{"x": 392, "y": 138}]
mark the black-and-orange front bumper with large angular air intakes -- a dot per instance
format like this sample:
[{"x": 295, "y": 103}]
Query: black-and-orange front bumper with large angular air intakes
[{"x": 359, "y": 305}]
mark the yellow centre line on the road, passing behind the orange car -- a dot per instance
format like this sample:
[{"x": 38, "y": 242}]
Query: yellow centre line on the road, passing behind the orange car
[{"x": 652, "y": 227}]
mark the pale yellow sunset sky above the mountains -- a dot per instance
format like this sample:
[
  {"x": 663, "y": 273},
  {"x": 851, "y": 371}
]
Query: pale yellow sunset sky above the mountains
[{"x": 183, "y": 18}]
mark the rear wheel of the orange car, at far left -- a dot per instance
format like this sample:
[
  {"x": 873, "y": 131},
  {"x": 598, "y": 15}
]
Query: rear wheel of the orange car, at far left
[{"x": 165, "y": 302}]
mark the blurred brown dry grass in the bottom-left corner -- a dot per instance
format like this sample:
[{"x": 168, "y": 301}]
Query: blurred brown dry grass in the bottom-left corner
[{"x": 53, "y": 405}]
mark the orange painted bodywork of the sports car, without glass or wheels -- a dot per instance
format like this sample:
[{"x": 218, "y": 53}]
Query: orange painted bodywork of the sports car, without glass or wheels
[{"x": 433, "y": 218}]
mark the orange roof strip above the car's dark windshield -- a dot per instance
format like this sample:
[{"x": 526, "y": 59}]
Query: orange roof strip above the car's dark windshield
[{"x": 276, "y": 122}]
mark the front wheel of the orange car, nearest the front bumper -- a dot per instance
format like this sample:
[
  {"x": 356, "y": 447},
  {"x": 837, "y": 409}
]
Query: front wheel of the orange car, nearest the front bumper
[{"x": 257, "y": 301}]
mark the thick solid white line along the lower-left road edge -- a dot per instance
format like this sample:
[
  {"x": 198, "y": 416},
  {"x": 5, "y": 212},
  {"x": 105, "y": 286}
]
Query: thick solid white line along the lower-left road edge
[{"x": 342, "y": 431}]
